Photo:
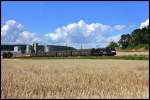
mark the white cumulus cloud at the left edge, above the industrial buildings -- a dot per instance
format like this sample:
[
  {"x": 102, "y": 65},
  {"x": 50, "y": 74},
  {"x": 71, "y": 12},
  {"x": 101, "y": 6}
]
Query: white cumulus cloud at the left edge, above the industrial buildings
[{"x": 13, "y": 32}]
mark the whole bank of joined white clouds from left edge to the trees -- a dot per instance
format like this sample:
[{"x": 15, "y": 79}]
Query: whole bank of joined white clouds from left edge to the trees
[{"x": 75, "y": 34}]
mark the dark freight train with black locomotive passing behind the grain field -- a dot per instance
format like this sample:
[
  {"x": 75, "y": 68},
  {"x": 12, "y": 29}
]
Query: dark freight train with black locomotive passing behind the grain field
[{"x": 82, "y": 52}]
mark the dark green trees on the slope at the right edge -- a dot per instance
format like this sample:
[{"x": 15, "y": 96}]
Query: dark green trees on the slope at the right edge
[{"x": 138, "y": 38}]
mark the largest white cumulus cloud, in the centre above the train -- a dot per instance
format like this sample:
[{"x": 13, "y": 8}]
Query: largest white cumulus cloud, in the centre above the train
[{"x": 84, "y": 33}]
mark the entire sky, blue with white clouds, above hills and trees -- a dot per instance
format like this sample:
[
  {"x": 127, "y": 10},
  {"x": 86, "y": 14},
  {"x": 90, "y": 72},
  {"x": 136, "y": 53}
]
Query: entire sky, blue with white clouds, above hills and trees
[{"x": 92, "y": 24}]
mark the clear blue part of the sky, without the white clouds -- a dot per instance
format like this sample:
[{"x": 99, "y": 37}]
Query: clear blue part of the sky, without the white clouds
[{"x": 45, "y": 17}]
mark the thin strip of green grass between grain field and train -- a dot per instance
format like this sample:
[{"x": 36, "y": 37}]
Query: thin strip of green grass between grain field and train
[{"x": 134, "y": 57}]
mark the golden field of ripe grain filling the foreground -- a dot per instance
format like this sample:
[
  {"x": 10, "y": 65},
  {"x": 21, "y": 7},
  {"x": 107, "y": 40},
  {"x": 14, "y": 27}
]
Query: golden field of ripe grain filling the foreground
[{"x": 74, "y": 78}]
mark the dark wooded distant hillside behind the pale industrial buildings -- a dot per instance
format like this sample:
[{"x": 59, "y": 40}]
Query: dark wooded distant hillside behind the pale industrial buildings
[{"x": 40, "y": 47}]
